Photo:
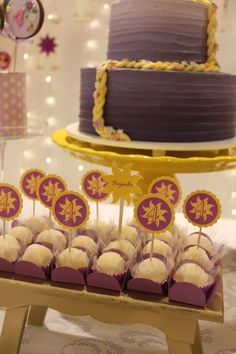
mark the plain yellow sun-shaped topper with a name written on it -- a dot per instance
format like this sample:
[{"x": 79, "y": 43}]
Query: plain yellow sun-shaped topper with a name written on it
[{"x": 121, "y": 183}]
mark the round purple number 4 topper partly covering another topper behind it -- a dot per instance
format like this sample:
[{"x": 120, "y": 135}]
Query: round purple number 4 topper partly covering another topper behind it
[{"x": 154, "y": 214}]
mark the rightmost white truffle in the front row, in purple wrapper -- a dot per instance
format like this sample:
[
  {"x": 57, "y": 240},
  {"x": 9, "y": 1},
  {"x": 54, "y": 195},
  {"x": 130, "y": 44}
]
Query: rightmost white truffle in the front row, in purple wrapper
[{"x": 191, "y": 273}]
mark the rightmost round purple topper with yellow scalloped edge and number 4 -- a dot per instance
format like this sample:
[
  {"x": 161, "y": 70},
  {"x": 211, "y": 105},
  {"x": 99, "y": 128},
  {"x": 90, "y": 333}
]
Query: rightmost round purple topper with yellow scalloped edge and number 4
[{"x": 202, "y": 208}]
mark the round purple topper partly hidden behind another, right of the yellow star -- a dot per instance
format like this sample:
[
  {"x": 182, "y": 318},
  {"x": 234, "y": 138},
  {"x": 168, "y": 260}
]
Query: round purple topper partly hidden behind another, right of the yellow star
[{"x": 167, "y": 188}]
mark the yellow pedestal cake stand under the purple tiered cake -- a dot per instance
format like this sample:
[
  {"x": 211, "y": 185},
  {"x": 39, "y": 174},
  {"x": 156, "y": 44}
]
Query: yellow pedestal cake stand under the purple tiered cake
[{"x": 149, "y": 163}]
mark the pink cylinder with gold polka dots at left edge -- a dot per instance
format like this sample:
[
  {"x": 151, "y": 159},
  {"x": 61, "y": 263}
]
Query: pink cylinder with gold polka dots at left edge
[{"x": 13, "y": 111}]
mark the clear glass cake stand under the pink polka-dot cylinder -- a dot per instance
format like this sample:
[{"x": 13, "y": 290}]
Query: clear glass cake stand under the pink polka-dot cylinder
[{"x": 33, "y": 129}]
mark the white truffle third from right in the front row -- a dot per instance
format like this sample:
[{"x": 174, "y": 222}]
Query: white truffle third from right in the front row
[{"x": 110, "y": 263}]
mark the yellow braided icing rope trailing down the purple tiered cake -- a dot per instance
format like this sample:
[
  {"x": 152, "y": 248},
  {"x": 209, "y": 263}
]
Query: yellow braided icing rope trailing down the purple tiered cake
[{"x": 210, "y": 65}]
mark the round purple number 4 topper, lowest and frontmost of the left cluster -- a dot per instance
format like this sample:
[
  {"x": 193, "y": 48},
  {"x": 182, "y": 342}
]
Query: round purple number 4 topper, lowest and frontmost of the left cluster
[{"x": 71, "y": 210}]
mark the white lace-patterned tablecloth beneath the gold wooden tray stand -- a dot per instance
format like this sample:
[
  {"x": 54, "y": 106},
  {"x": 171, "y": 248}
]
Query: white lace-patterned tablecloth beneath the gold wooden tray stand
[{"x": 63, "y": 334}]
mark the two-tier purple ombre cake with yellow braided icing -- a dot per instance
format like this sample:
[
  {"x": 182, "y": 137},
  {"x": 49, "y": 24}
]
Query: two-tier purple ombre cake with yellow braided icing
[{"x": 161, "y": 81}]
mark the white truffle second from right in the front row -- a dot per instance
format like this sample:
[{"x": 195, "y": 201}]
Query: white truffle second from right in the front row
[{"x": 153, "y": 269}]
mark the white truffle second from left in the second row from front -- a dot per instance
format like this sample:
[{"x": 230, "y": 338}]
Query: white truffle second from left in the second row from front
[{"x": 54, "y": 237}]
